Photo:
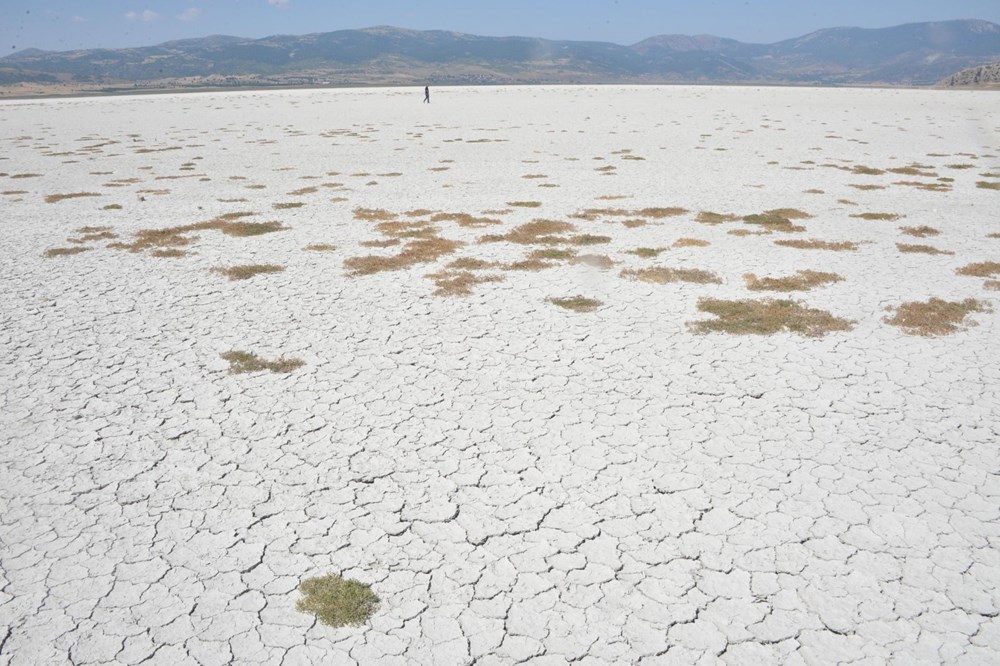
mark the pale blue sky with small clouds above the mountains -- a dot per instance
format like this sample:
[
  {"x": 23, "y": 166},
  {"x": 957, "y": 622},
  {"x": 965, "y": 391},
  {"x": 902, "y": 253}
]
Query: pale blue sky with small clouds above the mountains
[{"x": 74, "y": 24}]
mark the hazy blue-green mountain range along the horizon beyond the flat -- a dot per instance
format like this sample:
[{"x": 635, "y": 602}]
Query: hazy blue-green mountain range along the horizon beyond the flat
[{"x": 911, "y": 54}]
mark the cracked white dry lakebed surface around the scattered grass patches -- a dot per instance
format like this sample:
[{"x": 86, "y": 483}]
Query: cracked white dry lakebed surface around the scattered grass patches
[{"x": 517, "y": 481}]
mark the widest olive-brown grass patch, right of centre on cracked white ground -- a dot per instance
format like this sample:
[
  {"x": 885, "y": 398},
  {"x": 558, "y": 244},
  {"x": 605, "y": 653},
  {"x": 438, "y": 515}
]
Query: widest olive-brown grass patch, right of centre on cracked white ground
[{"x": 766, "y": 317}]
